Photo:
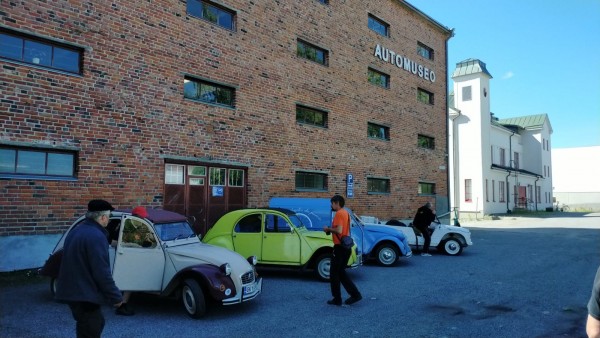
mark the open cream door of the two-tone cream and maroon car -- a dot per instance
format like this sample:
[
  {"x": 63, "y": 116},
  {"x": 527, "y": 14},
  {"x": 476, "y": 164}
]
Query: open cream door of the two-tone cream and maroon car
[{"x": 139, "y": 258}]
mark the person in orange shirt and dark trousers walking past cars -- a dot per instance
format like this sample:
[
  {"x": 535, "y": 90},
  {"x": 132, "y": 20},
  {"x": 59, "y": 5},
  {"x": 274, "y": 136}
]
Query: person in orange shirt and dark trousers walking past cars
[{"x": 340, "y": 226}]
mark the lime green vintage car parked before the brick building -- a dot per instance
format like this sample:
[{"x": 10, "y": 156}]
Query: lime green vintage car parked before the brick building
[{"x": 277, "y": 237}]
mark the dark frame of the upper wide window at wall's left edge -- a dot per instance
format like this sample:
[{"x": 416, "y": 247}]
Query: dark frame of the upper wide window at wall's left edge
[{"x": 53, "y": 45}]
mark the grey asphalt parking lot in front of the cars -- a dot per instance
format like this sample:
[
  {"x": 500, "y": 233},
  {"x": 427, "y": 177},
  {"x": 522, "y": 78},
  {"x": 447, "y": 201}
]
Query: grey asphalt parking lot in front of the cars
[{"x": 523, "y": 277}]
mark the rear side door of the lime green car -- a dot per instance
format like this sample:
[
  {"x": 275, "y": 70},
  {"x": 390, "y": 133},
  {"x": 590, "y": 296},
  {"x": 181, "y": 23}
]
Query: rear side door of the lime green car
[{"x": 246, "y": 236}]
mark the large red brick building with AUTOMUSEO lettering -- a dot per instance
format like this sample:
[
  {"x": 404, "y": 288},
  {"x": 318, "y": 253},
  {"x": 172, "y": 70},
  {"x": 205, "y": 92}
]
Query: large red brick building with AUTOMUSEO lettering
[{"x": 203, "y": 107}]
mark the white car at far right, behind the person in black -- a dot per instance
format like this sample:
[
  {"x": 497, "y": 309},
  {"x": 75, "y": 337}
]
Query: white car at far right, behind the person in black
[{"x": 450, "y": 239}]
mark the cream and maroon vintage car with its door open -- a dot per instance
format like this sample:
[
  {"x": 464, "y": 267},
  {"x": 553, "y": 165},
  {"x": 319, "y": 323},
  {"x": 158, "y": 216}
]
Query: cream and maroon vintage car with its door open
[{"x": 161, "y": 254}]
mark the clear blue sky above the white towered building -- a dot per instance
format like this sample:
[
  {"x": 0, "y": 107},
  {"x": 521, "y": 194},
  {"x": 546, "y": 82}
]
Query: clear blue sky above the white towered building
[{"x": 544, "y": 57}]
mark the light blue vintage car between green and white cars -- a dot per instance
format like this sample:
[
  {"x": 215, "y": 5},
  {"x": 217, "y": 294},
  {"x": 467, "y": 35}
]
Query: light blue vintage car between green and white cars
[{"x": 381, "y": 243}]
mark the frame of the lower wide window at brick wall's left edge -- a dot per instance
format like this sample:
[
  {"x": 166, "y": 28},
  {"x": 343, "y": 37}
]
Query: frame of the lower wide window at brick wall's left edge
[{"x": 48, "y": 161}]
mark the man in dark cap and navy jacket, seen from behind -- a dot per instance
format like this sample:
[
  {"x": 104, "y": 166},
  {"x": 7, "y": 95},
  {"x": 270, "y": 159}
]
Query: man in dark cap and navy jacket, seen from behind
[{"x": 85, "y": 281}]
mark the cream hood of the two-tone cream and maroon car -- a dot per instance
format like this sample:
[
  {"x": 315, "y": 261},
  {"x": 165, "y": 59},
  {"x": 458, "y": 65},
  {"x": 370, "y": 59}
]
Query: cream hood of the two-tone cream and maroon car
[{"x": 184, "y": 256}]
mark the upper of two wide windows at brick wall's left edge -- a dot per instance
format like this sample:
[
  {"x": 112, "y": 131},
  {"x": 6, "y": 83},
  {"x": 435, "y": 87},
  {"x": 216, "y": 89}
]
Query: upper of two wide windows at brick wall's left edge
[{"x": 40, "y": 52}]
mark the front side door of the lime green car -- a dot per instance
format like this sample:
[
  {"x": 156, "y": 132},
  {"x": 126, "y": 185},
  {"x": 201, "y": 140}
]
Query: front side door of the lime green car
[{"x": 281, "y": 243}]
